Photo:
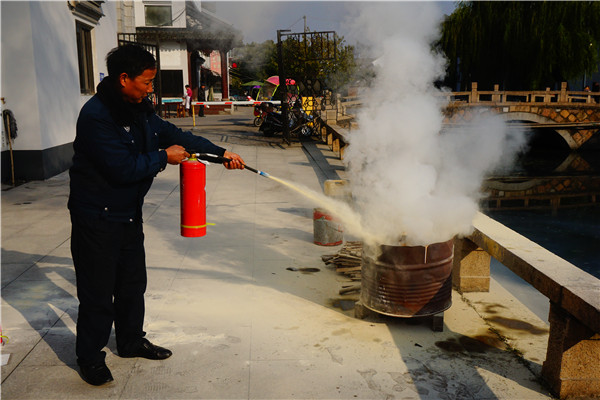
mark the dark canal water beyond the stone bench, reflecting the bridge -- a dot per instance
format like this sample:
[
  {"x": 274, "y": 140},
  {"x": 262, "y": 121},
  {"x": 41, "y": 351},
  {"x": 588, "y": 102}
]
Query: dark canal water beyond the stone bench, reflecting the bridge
[{"x": 552, "y": 197}]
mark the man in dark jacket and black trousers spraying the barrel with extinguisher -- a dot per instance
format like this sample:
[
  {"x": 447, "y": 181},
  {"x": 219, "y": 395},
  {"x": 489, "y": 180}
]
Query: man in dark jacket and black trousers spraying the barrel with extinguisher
[{"x": 120, "y": 145}]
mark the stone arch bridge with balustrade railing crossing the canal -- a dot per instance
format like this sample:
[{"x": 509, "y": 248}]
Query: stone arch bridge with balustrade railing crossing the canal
[{"x": 575, "y": 116}]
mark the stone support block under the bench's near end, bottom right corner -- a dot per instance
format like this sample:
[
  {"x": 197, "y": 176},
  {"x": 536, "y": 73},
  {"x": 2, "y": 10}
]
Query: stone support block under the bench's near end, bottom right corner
[{"x": 571, "y": 366}]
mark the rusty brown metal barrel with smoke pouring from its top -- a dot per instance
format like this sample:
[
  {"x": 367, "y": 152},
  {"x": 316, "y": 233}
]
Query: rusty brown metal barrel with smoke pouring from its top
[{"x": 407, "y": 281}]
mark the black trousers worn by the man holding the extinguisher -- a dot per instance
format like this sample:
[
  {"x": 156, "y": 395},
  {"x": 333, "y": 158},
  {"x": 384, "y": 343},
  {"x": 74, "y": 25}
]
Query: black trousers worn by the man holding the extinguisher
[{"x": 110, "y": 267}]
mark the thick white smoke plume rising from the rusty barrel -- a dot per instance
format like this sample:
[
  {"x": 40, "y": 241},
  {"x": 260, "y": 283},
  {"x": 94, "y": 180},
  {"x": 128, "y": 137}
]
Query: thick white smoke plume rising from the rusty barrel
[{"x": 408, "y": 175}]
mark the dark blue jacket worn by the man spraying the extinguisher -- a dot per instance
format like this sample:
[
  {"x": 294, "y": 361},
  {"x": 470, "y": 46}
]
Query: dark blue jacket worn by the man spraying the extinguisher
[{"x": 114, "y": 164}]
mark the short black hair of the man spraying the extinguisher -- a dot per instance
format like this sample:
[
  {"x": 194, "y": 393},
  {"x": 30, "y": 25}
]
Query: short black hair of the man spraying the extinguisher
[{"x": 131, "y": 59}]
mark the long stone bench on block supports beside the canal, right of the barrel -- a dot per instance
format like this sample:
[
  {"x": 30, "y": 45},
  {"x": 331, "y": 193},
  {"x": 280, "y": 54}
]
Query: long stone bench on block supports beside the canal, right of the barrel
[{"x": 572, "y": 365}]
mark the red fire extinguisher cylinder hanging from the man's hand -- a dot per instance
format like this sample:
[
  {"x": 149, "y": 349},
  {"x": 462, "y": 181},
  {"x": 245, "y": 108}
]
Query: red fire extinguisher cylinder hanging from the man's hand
[{"x": 192, "y": 174}]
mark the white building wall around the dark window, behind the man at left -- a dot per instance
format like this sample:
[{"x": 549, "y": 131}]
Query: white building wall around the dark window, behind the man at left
[{"x": 40, "y": 72}]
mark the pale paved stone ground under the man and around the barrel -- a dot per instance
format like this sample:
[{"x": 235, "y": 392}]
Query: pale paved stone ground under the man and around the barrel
[{"x": 240, "y": 324}]
